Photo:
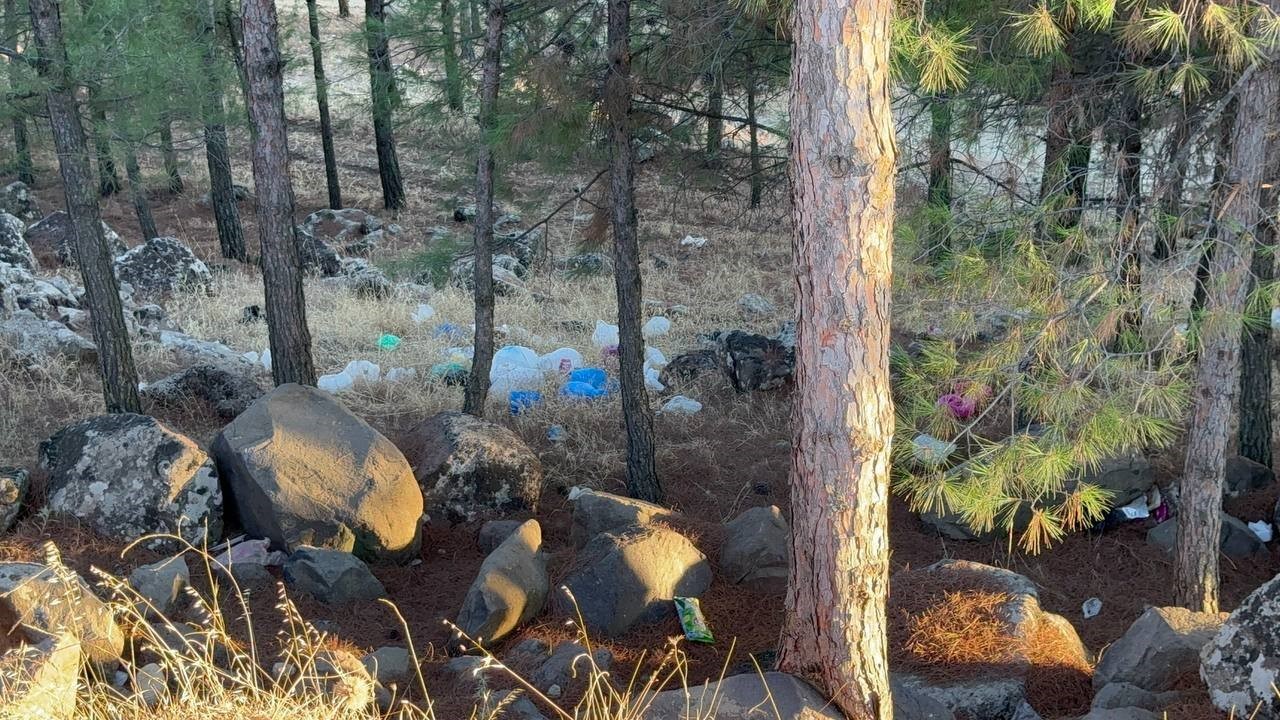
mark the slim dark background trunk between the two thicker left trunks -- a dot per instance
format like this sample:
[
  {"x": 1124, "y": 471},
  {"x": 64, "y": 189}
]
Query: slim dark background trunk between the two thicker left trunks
[{"x": 222, "y": 189}]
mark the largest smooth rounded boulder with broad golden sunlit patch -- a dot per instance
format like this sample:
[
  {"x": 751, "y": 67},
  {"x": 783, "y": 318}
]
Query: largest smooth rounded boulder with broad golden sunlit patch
[{"x": 300, "y": 470}]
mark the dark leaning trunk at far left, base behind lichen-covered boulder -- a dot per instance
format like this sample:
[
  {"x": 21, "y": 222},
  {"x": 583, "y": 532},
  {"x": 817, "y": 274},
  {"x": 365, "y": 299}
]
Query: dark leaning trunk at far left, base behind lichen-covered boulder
[{"x": 102, "y": 291}]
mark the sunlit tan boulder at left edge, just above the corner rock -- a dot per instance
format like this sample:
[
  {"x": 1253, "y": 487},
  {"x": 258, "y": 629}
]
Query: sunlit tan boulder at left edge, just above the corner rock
[{"x": 43, "y": 601}]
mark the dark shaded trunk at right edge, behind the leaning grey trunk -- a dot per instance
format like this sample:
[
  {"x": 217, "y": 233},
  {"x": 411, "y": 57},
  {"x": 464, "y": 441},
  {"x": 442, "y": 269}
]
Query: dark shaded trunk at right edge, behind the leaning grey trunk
[{"x": 1255, "y": 431}]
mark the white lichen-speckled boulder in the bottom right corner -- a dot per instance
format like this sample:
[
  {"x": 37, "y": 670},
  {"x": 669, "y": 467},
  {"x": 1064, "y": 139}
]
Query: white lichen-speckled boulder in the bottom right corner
[{"x": 1241, "y": 664}]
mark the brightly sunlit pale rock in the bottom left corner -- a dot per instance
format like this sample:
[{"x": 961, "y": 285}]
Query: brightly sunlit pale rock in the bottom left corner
[{"x": 39, "y": 681}]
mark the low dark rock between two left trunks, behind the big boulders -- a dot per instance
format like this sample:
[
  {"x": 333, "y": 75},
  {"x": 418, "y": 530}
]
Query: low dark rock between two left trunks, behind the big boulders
[{"x": 226, "y": 389}]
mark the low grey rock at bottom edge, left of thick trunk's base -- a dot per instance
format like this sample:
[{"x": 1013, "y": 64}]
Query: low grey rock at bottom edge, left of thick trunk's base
[{"x": 775, "y": 696}]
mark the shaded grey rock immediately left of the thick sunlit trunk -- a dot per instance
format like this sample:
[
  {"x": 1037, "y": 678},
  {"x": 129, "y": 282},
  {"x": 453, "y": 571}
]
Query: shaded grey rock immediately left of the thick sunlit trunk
[{"x": 757, "y": 549}]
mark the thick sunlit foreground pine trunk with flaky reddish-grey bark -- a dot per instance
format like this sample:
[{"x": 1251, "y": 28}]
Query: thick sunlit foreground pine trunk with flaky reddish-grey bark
[{"x": 843, "y": 161}]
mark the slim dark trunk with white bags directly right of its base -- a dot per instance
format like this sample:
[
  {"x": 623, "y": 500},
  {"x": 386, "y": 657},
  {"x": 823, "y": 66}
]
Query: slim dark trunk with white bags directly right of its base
[{"x": 478, "y": 386}]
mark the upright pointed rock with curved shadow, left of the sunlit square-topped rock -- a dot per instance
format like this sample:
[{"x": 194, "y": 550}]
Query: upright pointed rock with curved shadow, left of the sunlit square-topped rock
[{"x": 510, "y": 589}]
